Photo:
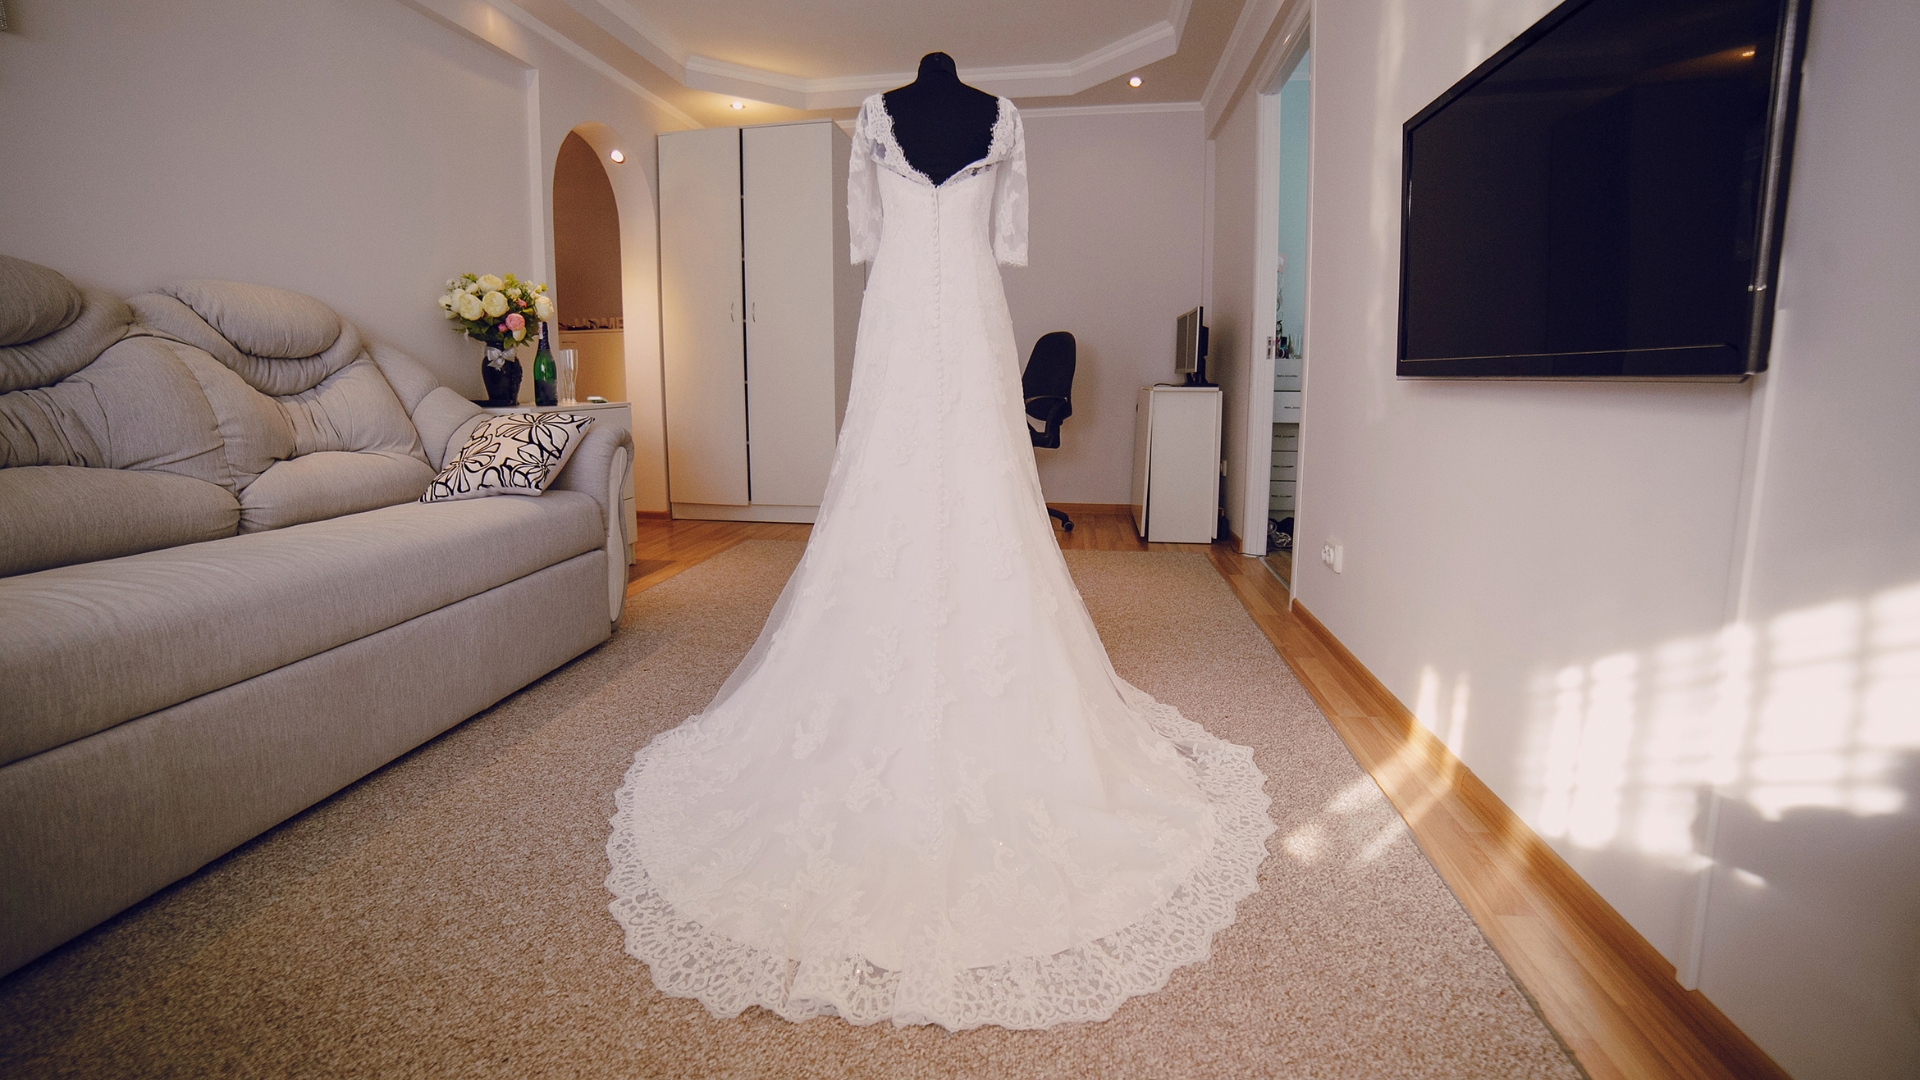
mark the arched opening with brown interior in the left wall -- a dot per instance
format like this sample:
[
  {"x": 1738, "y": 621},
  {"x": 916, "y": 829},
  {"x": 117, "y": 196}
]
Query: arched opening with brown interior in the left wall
[{"x": 587, "y": 272}]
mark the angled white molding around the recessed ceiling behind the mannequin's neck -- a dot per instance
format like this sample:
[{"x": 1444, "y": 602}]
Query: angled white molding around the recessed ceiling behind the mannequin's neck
[{"x": 635, "y": 30}]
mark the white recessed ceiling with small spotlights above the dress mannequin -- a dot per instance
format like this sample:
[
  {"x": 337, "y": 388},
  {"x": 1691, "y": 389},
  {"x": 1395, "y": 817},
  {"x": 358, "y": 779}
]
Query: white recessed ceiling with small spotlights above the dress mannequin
[{"x": 788, "y": 59}]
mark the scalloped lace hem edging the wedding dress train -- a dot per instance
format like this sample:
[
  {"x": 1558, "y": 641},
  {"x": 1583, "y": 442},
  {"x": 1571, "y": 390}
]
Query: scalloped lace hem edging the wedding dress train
[{"x": 1086, "y": 983}]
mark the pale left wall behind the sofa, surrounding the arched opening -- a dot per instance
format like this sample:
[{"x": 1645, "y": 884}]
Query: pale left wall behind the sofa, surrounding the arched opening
[{"x": 358, "y": 151}]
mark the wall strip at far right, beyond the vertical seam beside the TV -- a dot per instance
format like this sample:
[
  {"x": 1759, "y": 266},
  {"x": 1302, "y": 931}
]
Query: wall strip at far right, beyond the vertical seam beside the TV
[{"x": 1813, "y": 939}]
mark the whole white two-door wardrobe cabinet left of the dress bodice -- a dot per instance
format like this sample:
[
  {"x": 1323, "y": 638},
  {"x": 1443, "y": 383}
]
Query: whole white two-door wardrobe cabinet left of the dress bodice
[{"x": 757, "y": 318}]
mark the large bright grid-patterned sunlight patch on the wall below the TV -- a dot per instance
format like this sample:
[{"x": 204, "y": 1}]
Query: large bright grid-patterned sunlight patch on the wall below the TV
[{"x": 1815, "y": 708}]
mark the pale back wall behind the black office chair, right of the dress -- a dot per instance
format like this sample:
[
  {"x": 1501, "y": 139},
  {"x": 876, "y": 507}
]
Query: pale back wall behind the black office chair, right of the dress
[{"x": 1115, "y": 257}]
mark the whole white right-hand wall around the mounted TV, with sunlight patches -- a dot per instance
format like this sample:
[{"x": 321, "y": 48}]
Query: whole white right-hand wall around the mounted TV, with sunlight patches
[{"x": 1558, "y": 577}]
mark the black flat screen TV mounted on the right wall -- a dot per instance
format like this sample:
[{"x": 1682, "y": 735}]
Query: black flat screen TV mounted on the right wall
[{"x": 1604, "y": 197}]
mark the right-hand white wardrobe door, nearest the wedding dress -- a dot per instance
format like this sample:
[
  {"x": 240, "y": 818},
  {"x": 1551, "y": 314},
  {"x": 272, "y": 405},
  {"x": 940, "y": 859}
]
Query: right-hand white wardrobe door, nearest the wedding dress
[{"x": 790, "y": 210}]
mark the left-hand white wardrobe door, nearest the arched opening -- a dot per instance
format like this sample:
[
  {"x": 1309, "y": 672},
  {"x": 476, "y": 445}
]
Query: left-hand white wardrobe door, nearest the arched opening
[{"x": 702, "y": 318}]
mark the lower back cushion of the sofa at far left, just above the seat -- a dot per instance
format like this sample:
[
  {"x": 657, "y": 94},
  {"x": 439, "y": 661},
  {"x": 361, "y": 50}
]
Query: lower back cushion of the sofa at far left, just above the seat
[{"x": 55, "y": 516}]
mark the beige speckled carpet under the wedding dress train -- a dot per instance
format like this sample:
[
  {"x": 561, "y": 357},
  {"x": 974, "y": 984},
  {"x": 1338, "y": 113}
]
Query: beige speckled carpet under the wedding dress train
[{"x": 446, "y": 916}]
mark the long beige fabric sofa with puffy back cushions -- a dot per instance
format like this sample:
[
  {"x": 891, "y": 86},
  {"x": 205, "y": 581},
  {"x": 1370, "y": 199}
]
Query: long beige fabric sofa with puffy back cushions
[{"x": 220, "y": 599}]
